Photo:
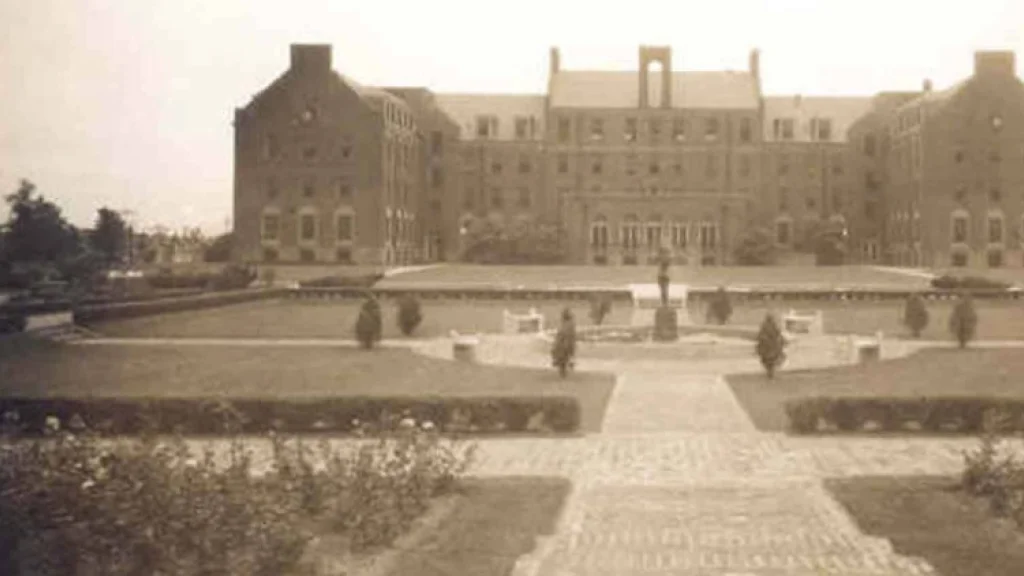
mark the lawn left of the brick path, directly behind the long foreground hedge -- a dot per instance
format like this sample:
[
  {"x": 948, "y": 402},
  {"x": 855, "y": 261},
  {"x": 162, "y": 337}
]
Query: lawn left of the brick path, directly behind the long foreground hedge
[{"x": 236, "y": 373}]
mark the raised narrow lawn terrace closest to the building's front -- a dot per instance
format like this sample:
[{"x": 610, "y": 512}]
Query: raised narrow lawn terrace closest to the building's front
[{"x": 583, "y": 276}]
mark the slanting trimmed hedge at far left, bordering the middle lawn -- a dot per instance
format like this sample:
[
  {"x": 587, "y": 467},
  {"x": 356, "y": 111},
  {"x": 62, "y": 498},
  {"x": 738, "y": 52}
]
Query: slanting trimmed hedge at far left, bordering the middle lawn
[{"x": 103, "y": 313}]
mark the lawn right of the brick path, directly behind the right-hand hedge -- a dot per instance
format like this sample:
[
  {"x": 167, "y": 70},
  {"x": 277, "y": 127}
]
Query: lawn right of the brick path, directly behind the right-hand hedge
[{"x": 933, "y": 374}]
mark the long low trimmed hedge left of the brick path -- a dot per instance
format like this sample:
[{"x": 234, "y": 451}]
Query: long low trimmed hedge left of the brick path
[{"x": 209, "y": 417}]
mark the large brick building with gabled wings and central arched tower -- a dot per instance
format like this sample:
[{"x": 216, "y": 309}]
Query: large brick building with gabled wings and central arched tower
[{"x": 628, "y": 162}]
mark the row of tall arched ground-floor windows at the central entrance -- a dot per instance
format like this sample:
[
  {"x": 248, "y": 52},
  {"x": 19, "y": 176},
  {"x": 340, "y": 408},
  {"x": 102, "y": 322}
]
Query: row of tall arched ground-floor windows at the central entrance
[{"x": 653, "y": 234}]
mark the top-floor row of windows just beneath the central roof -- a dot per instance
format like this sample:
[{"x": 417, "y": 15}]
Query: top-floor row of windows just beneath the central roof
[{"x": 680, "y": 130}]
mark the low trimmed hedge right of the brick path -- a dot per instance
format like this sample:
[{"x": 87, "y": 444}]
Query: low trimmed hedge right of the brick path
[{"x": 947, "y": 415}]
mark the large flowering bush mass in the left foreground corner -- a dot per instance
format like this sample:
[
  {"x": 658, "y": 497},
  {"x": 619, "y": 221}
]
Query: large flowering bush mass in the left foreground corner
[{"x": 76, "y": 506}]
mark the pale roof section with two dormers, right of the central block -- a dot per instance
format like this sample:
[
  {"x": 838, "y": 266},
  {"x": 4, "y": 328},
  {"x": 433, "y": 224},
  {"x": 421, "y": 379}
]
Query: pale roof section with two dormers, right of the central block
[{"x": 842, "y": 111}]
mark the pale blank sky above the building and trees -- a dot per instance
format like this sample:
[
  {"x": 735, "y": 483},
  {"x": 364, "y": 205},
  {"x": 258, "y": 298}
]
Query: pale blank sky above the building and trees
[{"x": 130, "y": 103}]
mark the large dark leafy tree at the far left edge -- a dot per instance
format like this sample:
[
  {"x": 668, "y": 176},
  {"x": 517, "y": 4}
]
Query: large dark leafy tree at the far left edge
[{"x": 36, "y": 231}]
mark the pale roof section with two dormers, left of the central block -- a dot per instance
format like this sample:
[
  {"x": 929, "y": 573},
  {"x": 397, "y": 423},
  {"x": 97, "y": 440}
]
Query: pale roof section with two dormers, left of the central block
[{"x": 464, "y": 110}]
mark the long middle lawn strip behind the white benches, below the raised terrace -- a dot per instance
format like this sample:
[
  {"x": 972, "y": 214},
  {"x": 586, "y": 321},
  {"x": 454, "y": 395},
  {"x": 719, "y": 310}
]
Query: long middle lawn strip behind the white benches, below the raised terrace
[{"x": 318, "y": 319}]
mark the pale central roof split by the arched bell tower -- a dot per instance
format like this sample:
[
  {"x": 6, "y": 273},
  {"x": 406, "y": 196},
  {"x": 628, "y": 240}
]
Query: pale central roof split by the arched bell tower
[{"x": 716, "y": 91}]
